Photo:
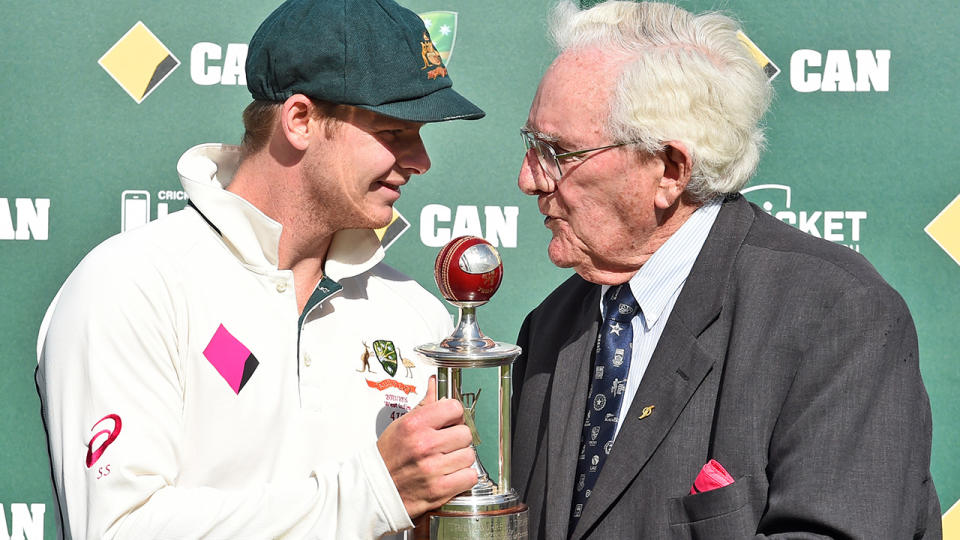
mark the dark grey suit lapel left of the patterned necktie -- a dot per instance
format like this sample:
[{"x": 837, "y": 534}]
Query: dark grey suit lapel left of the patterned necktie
[{"x": 567, "y": 397}]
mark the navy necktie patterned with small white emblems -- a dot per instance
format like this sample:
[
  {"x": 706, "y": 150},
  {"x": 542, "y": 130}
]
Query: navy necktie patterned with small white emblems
[{"x": 607, "y": 386}]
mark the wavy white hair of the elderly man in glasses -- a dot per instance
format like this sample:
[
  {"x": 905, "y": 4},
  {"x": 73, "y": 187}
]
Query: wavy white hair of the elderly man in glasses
[{"x": 687, "y": 78}]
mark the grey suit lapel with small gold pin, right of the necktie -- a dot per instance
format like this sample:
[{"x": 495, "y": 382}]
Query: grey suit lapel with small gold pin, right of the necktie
[{"x": 678, "y": 365}]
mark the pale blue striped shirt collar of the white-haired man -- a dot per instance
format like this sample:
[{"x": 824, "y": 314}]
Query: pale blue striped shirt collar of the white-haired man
[{"x": 667, "y": 269}]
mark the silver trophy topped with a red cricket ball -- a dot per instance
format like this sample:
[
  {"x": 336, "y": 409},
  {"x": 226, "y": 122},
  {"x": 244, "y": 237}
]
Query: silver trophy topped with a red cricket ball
[{"x": 468, "y": 271}]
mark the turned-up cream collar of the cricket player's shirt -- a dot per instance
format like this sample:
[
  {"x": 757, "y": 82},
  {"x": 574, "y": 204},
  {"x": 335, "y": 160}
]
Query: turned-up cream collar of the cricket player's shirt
[{"x": 207, "y": 169}]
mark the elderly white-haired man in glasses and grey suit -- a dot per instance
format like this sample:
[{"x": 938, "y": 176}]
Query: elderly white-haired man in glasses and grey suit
[{"x": 709, "y": 372}]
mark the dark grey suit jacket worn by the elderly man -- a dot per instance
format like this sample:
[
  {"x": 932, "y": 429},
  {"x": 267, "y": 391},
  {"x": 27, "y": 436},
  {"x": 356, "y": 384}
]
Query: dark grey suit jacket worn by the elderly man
[{"x": 786, "y": 358}]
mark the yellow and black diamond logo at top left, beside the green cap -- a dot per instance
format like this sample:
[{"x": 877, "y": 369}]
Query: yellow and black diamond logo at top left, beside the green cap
[{"x": 139, "y": 62}]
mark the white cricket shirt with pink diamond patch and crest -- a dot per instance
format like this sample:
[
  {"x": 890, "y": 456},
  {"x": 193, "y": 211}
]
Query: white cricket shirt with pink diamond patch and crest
[{"x": 184, "y": 397}]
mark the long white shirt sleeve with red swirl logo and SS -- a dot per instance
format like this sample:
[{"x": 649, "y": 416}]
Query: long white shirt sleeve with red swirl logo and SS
[{"x": 111, "y": 387}]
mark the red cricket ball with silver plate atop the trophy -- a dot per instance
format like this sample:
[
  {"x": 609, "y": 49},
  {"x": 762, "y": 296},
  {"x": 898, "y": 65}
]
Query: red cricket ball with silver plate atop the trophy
[{"x": 468, "y": 269}]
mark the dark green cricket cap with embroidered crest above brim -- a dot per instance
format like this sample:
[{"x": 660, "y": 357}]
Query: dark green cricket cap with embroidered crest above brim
[{"x": 372, "y": 54}]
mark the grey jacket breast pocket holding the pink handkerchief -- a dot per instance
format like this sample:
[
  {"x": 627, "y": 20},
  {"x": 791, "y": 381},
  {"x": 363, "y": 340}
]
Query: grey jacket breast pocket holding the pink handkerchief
[{"x": 719, "y": 513}]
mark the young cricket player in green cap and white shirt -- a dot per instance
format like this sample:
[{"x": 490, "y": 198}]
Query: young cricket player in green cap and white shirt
[{"x": 230, "y": 371}]
